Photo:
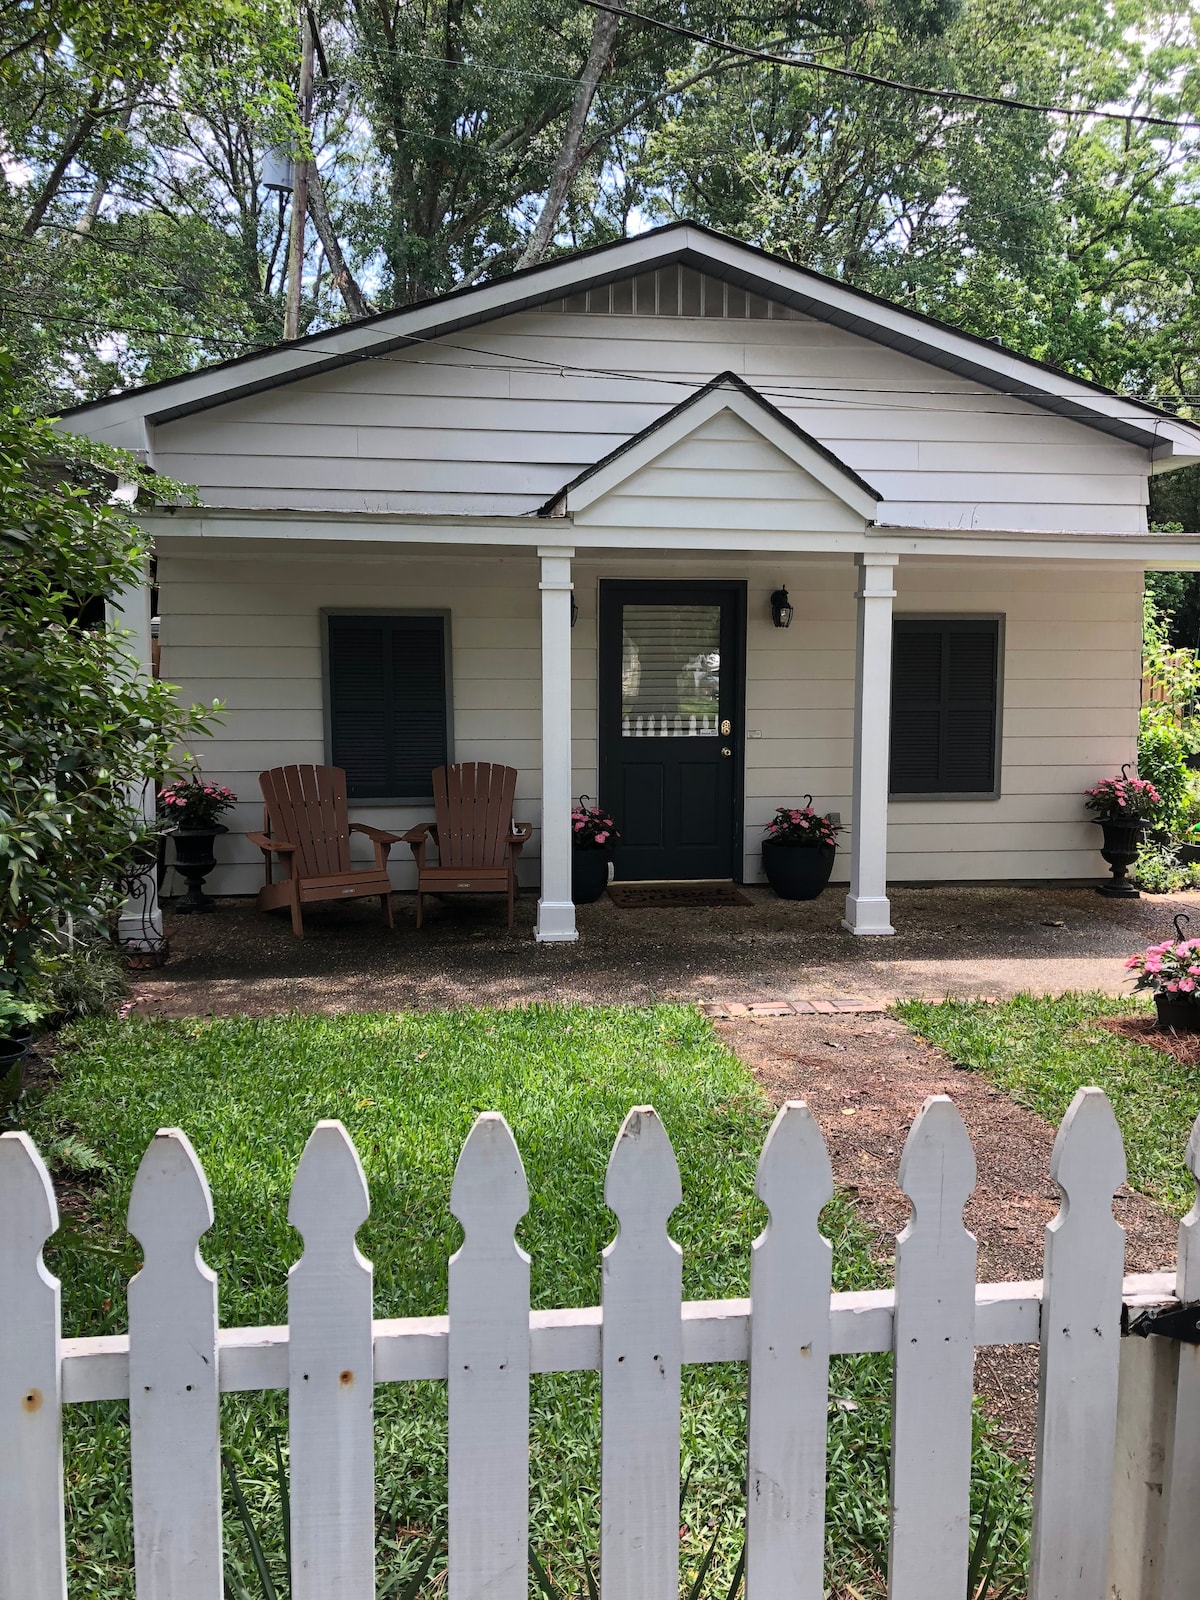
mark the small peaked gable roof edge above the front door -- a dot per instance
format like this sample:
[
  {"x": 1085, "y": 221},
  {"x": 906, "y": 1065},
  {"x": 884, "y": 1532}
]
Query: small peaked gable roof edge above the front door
[{"x": 726, "y": 393}]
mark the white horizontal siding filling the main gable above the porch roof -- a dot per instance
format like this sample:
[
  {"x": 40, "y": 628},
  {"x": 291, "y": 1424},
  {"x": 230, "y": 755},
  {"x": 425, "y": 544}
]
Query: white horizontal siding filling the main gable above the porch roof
[{"x": 495, "y": 420}]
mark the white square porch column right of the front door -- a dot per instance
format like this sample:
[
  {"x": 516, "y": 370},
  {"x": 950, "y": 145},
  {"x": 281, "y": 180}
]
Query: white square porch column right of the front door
[{"x": 868, "y": 910}]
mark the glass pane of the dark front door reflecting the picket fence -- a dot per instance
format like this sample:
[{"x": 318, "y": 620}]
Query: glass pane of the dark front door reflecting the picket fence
[{"x": 671, "y": 671}]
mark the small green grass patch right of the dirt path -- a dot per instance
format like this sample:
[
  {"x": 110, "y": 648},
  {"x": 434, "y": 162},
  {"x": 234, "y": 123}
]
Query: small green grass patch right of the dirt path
[{"x": 1041, "y": 1052}]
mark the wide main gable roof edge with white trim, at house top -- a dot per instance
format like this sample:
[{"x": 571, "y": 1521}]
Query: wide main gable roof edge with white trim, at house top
[{"x": 689, "y": 244}]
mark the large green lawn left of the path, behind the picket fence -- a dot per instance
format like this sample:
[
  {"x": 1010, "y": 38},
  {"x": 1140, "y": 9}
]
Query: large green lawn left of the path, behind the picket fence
[{"x": 409, "y": 1089}]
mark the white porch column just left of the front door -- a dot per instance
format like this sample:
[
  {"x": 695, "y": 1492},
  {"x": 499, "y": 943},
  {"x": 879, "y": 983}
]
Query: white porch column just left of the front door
[{"x": 556, "y": 908}]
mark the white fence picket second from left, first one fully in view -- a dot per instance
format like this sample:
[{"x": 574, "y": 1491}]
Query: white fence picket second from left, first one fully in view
[{"x": 175, "y": 1425}]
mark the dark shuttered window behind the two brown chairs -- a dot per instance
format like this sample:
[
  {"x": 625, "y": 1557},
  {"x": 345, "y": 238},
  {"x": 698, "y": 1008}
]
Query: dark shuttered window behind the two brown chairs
[{"x": 390, "y": 724}]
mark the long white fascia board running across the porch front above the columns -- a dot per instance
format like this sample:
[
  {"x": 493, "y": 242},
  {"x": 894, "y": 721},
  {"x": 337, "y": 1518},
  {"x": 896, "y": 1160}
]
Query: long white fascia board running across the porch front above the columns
[{"x": 522, "y": 535}]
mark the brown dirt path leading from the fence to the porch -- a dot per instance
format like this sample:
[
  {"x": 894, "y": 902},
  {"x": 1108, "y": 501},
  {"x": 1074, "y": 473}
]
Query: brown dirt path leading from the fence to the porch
[{"x": 865, "y": 1081}]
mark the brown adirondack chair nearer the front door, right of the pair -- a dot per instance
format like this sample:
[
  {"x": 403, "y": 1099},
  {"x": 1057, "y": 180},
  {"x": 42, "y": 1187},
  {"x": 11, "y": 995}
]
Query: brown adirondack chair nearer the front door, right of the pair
[{"x": 476, "y": 838}]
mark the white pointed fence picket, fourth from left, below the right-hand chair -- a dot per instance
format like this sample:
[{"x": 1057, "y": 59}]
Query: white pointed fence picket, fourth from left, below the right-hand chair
[{"x": 489, "y": 1358}]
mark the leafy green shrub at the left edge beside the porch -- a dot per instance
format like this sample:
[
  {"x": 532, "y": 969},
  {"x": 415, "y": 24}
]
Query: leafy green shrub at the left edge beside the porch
[{"x": 82, "y": 729}]
